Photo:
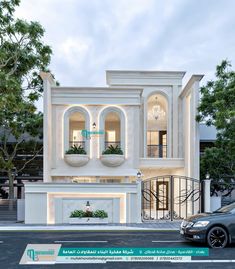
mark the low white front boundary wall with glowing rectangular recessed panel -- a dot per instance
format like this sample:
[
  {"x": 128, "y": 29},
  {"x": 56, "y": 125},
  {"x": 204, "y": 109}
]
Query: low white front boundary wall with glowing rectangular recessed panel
[{"x": 52, "y": 203}]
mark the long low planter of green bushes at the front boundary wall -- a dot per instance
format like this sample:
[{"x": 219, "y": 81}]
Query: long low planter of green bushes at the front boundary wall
[{"x": 83, "y": 217}]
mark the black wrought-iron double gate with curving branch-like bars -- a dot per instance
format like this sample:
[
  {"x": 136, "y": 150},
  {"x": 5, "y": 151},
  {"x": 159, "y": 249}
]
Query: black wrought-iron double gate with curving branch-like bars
[{"x": 170, "y": 198}]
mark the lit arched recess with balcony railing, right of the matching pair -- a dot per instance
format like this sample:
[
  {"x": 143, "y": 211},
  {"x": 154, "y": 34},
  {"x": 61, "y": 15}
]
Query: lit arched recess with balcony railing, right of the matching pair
[{"x": 113, "y": 122}]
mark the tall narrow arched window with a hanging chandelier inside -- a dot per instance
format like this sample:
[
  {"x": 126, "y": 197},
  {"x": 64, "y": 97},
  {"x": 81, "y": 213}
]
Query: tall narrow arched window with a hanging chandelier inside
[{"x": 157, "y": 126}]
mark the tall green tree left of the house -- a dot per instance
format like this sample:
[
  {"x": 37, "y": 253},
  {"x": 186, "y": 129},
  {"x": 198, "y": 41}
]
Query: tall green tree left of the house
[{"x": 22, "y": 55}]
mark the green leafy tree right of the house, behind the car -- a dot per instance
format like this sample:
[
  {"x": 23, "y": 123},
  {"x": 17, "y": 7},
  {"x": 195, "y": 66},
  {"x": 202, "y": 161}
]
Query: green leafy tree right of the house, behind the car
[{"x": 217, "y": 107}]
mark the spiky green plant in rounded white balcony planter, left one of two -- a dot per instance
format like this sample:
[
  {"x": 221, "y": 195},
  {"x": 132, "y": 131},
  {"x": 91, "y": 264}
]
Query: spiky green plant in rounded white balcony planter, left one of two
[{"x": 76, "y": 156}]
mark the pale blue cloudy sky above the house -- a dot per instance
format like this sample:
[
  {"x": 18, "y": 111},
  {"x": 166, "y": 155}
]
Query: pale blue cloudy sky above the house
[{"x": 90, "y": 36}]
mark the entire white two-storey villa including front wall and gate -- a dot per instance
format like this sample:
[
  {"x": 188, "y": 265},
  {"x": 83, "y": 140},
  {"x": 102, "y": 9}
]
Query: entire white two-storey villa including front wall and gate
[{"x": 146, "y": 114}]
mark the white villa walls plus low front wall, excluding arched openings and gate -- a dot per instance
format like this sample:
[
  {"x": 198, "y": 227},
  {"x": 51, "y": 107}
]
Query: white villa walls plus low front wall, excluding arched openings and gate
[{"x": 128, "y": 93}]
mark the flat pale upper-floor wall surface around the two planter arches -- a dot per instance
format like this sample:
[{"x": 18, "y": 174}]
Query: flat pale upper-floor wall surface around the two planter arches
[{"x": 94, "y": 166}]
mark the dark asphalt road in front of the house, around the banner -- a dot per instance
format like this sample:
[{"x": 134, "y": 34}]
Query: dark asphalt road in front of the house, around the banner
[{"x": 12, "y": 246}]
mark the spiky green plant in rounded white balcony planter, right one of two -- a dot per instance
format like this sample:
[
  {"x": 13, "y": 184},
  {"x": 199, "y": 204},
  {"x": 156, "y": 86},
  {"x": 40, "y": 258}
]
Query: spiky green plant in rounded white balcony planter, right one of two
[{"x": 112, "y": 156}]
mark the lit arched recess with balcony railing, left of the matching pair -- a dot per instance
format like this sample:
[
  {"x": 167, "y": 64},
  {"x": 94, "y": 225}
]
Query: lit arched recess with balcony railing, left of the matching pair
[{"x": 76, "y": 119}]
